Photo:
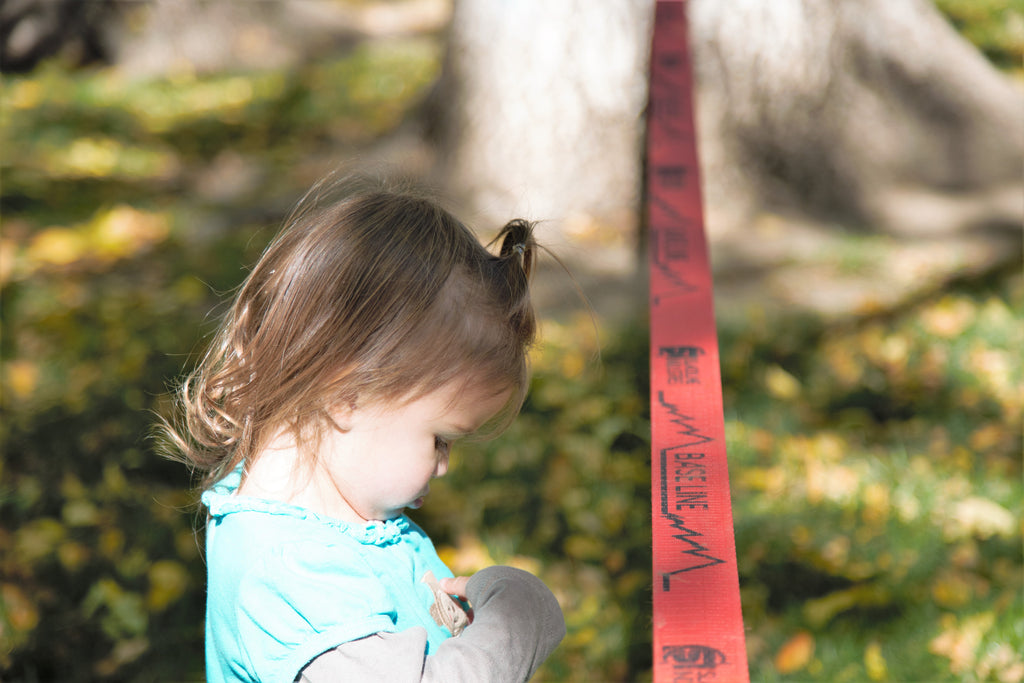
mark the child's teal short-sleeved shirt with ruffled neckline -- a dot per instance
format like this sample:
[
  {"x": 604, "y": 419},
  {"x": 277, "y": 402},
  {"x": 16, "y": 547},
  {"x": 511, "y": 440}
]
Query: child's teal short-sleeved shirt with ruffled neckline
[{"x": 286, "y": 585}]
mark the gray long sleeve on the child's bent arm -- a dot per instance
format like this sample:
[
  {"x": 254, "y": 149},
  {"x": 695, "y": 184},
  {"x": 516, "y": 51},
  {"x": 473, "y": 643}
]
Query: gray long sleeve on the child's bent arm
[{"x": 518, "y": 624}]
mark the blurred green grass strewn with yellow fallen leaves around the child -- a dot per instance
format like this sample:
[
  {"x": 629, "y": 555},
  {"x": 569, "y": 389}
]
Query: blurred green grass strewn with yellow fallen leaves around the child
[{"x": 876, "y": 462}]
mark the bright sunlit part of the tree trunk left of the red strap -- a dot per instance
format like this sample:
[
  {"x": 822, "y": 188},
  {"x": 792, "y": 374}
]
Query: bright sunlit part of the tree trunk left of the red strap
[{"x": 539, "y": 111}]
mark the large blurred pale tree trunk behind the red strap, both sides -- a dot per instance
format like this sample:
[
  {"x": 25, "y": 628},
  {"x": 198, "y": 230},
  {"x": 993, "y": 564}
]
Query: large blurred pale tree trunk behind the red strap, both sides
[{"x": 874, "y": 112}]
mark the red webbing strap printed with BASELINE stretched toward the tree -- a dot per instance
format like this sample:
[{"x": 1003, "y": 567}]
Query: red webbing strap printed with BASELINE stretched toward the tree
[{"x": 699, "y": 628}]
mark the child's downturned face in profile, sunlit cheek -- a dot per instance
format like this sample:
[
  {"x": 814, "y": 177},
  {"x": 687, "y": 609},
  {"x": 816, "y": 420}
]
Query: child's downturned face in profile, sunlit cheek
[{"x": 387, "y": 459}]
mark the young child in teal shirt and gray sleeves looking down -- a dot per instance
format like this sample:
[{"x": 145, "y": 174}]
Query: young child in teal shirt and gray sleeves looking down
[{"x": 374, "y": 333}]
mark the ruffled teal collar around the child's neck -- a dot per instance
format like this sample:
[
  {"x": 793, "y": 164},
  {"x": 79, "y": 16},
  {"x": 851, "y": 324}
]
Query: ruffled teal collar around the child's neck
[{"x": 222, "y": 500}]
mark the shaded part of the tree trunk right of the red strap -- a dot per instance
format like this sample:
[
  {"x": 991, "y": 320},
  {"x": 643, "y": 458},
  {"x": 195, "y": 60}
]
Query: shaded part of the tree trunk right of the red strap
[{"x": 876, "y": 112}]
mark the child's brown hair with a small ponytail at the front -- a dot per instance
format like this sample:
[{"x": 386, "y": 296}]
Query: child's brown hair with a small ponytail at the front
[{"x": 373, "y": 297}]
